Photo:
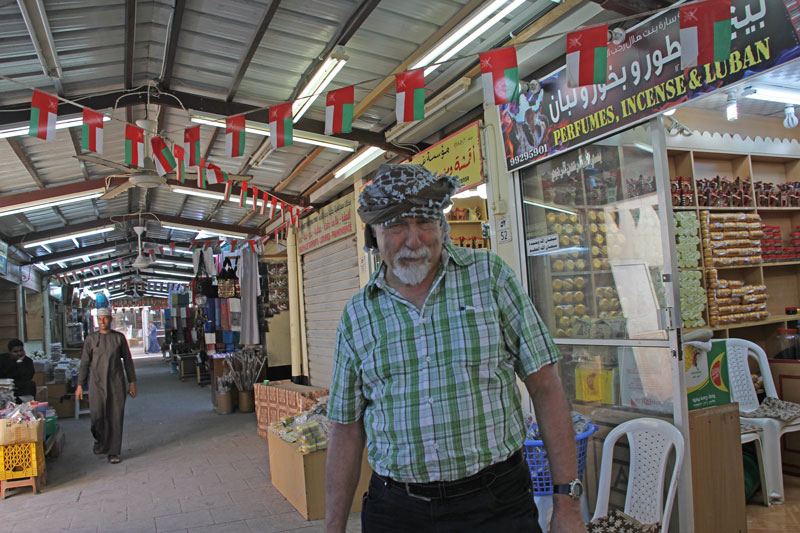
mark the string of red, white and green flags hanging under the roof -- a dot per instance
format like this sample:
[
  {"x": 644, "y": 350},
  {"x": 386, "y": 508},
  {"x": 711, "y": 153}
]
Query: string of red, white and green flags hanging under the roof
[{"x": 705, "y": 37}]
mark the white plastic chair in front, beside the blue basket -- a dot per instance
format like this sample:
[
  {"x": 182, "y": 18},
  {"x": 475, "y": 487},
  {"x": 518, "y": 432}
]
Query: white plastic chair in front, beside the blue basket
[{"x": 650, "y": 441}]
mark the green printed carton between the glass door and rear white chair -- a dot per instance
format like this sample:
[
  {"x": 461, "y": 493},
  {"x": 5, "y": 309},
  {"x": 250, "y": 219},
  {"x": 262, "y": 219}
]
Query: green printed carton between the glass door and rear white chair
[{"x": 706, "y": 373}]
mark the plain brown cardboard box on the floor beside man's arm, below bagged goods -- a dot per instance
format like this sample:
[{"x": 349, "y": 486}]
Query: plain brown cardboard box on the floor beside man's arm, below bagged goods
[{"x": 300, "y": 477}]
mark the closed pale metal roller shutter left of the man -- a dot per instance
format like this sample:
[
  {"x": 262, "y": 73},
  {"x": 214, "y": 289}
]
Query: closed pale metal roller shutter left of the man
[{"x": 330, "y": 279}]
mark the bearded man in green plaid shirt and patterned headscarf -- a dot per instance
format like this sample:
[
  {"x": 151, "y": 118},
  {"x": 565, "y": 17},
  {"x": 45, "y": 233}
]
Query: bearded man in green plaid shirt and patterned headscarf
[{"x": 424, "y": 373}]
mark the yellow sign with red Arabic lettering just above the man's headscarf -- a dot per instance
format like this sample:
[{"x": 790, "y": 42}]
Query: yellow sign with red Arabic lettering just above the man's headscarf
[{"x": 457, "y": 155}]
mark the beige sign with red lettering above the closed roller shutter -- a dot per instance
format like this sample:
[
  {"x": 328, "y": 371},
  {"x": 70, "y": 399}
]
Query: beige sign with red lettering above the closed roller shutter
[{"x": 331, "y": 223}]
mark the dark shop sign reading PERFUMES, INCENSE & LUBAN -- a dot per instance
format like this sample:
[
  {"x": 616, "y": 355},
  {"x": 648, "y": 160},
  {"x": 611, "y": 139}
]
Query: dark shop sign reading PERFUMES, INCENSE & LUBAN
[{"x": 644, "y": 79}]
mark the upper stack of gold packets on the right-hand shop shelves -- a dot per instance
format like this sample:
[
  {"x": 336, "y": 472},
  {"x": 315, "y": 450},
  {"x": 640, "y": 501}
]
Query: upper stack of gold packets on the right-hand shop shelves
[{"x": 731, "y": 239}]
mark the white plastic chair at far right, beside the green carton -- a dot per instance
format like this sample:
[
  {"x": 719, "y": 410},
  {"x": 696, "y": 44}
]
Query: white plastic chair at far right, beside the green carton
[{"x": 738, "y": 351}]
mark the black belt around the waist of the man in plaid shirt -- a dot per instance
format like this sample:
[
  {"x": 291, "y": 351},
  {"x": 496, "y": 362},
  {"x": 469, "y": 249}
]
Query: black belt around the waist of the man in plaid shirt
[{"x": 442, "y": 490}]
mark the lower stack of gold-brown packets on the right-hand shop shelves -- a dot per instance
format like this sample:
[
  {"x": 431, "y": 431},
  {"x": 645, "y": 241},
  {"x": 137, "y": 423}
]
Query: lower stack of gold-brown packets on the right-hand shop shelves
[{"x": 731, "y": 301}]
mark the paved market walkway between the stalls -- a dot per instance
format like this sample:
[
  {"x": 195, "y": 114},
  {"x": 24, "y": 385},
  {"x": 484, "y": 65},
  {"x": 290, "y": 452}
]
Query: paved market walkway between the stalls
[{"x": 184, "y": 468}]
